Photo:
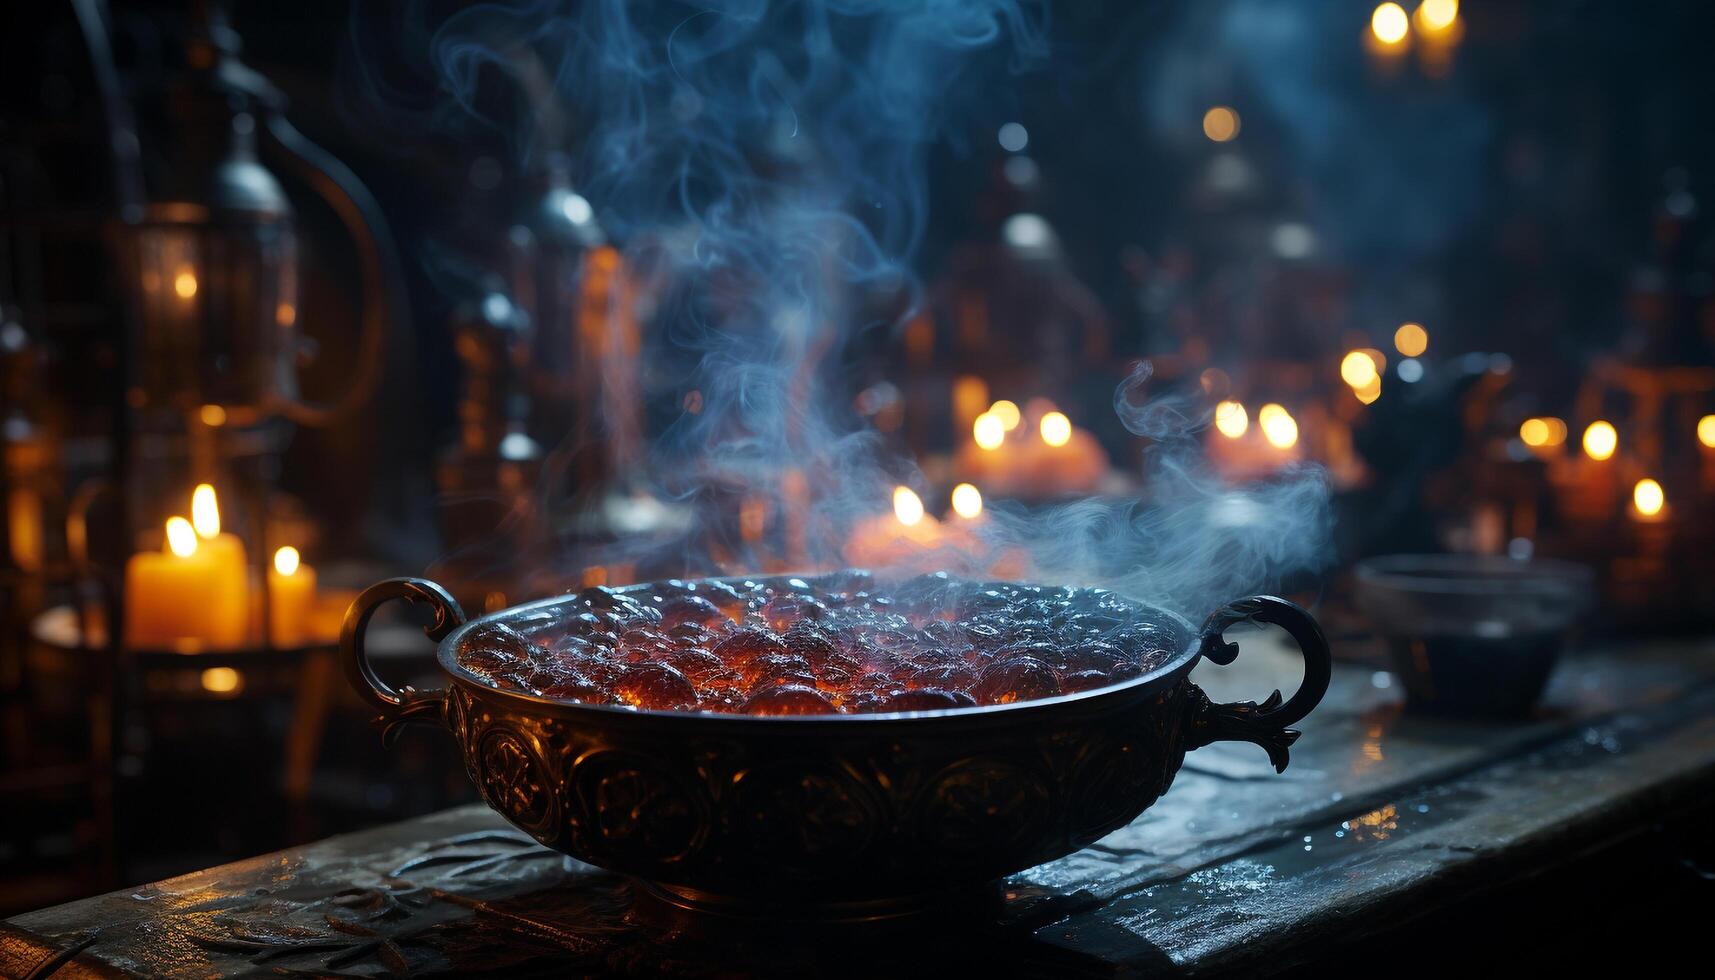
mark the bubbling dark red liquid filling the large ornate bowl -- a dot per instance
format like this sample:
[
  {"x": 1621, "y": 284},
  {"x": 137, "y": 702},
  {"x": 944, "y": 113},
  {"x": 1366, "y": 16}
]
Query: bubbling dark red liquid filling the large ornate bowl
[{"x": 833, "y": 644}]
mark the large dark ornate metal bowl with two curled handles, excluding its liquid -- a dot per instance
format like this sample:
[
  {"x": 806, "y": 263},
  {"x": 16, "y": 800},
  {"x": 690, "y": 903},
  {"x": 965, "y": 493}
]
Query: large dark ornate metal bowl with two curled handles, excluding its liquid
[{"x": 851, "y": 816}]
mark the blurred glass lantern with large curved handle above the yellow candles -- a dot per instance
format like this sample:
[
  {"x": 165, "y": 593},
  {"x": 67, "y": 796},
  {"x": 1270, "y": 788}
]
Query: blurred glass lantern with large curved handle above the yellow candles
[{"x": 217, "y": 255}]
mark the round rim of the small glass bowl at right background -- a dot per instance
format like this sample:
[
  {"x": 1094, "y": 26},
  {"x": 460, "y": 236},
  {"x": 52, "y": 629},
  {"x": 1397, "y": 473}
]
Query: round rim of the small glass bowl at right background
[{"x": 1476, "y": 576}]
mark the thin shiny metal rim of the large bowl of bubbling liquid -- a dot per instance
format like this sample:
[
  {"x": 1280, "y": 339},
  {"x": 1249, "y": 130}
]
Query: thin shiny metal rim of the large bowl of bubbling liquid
[{"x": 448, "y": 660}]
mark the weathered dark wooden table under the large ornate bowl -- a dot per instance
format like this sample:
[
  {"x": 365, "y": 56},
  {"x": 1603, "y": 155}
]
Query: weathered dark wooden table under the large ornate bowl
[{"x": 1237, "y": 869}]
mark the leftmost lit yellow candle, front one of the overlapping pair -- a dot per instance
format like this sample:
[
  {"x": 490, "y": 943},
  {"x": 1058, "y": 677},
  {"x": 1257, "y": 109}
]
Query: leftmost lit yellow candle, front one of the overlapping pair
[{"x": 167, "y": 593}]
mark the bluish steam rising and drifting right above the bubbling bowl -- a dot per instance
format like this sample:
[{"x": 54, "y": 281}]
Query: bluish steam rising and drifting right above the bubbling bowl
[{"x": 766, "y": 166}]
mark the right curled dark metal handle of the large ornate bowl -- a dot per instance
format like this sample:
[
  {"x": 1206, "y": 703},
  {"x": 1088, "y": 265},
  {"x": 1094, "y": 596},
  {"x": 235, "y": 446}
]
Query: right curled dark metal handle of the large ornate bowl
[{"x": 1249, "y": 722}]
